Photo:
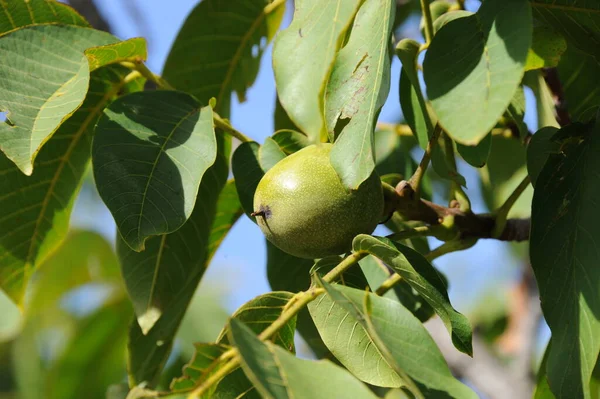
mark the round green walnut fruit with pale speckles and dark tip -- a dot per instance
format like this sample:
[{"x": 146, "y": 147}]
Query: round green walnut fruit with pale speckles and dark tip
[{"x": 302, "y": 207}]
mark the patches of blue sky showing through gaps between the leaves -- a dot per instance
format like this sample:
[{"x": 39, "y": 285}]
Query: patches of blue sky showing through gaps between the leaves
[{"x": 241, "y": 258}]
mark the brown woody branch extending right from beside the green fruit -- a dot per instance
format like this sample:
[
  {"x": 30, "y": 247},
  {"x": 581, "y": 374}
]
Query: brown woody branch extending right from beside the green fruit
[{"x": 465, "y": 224}]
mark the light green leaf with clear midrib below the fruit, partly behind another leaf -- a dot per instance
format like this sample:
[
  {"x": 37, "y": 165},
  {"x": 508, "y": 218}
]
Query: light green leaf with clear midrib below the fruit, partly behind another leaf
[{"x": 338, "y": 323}]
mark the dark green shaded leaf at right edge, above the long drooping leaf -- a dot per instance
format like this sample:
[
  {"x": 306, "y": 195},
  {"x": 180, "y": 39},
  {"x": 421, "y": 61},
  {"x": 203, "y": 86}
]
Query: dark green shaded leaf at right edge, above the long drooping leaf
[{"x": 576, "y": 72}]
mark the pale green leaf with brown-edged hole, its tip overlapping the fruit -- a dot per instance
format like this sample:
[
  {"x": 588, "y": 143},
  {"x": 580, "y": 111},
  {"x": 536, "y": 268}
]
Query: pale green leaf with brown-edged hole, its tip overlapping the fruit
[{"x": 357, "y": 89}]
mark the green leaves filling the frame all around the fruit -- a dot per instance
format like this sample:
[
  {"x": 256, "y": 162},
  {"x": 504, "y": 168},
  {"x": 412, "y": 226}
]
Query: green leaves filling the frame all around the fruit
[{"x": 161, "y": 161}]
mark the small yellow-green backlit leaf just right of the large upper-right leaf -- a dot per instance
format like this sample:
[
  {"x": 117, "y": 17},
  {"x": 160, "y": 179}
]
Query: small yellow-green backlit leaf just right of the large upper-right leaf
[{"x": 547, "y": 46}]
